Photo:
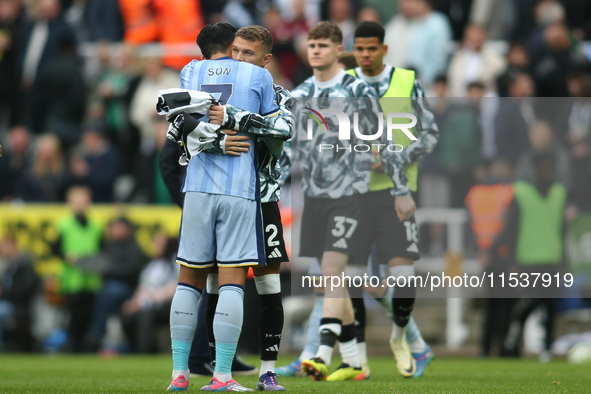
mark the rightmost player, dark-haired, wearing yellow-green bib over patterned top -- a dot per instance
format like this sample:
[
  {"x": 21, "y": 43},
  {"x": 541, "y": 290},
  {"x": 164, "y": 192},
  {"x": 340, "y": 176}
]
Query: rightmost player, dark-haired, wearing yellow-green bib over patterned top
[{"x": 395, "y": 237}]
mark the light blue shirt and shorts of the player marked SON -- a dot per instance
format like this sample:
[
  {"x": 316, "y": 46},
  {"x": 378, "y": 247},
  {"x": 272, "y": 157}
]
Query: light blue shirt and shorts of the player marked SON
[{"x": 251, "y": 88}]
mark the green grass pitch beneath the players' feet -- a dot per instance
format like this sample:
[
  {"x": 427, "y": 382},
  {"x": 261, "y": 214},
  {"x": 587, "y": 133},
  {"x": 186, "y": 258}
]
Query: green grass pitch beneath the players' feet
[{"x": 151, "y": 374}]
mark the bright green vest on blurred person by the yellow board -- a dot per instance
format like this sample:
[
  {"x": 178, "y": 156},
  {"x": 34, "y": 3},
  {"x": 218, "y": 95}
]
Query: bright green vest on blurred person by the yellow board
[{"x": 80, "y": 241}]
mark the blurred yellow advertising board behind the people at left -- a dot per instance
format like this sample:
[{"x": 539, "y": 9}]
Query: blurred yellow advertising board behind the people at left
[{"x": 35, "y": 231}]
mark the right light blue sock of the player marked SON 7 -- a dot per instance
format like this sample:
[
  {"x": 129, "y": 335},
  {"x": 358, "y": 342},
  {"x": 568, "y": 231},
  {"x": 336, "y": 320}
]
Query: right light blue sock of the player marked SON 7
[{"x": 227, "y": 326}]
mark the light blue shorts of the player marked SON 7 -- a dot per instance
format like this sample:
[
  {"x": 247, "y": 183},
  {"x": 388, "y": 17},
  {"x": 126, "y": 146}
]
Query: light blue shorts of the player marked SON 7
[{"x": 222, "y": 230}]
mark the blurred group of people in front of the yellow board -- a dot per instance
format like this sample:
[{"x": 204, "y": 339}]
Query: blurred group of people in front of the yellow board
[{"x": 104, "y": 272}]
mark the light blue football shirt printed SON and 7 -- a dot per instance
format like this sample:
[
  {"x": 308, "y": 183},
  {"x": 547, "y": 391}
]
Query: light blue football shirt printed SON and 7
[{"x": 242, "y": 85}]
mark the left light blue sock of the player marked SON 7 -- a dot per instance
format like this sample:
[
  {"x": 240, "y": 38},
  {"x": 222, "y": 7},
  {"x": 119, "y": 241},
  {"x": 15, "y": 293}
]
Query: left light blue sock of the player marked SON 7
[{"x": 183, "y": 320}]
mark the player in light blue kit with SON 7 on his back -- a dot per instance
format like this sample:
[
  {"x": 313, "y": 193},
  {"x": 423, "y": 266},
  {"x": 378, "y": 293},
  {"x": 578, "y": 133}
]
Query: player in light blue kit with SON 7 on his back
[{"x": 221, "y": 223}]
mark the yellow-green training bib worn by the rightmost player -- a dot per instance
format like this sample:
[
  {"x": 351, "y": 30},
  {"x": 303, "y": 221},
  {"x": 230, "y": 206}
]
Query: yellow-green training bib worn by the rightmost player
[{"x": 401, "y": 85}]
